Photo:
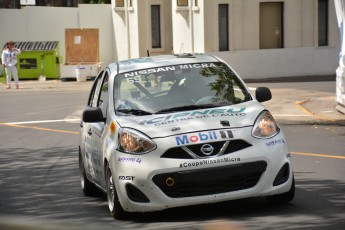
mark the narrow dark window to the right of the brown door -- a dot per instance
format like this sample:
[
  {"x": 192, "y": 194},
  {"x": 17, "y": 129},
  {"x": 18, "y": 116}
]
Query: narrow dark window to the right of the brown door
[{"x": 323, "y": 22}]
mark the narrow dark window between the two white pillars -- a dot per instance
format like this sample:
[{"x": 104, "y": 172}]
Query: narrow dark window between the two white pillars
[{"x": 156, "y": 26}]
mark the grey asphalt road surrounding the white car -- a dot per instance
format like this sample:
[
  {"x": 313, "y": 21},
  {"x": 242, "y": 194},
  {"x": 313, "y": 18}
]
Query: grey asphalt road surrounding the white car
[{"x": 39, "y": 178}]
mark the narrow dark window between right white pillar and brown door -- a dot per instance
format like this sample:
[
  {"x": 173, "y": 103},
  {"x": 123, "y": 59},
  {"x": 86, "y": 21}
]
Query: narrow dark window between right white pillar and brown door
[{"x": 223, "y": 27}]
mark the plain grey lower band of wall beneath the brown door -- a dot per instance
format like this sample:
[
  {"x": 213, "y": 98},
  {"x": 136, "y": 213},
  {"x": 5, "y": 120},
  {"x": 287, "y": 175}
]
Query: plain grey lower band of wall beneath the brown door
[{"x": 289, "y": 62}]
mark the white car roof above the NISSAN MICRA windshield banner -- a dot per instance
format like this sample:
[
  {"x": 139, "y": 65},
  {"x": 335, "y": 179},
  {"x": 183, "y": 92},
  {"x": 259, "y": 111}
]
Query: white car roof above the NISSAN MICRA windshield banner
[{"x": 160, "y": 60}]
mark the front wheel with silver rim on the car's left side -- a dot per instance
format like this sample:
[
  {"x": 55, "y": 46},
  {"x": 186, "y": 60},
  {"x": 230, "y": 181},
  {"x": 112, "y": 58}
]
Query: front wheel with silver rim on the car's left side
[{"x": 115, "y": 208}]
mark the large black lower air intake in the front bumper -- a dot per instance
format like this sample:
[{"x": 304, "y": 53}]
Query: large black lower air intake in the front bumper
[{"x": 210, "y": 181}]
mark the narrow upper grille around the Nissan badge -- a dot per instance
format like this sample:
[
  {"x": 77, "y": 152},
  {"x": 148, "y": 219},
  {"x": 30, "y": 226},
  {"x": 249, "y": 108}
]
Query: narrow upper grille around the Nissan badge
[{"x": 194, "y": 151}]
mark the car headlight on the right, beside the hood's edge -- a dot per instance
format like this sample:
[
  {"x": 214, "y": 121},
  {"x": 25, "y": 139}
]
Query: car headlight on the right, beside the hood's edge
[{"x": 265, "y": 126}]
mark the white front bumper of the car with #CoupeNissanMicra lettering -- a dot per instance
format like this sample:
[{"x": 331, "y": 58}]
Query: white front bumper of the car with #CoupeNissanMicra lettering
[{"x": 151, "y": 182}]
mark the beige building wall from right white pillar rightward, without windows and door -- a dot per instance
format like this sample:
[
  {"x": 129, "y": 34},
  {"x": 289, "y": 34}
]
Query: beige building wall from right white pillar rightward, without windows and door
[{"x": 300, "y": 57}]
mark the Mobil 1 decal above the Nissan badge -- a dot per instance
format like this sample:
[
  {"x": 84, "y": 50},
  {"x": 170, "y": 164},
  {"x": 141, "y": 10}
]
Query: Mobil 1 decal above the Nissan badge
[{"x": 203, "y": 137}]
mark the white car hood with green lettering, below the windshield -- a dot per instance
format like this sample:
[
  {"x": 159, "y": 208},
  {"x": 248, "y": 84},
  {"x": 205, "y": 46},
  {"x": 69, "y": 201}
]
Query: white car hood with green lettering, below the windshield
[{"x": 162, "y": 125}]
